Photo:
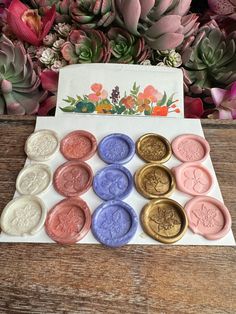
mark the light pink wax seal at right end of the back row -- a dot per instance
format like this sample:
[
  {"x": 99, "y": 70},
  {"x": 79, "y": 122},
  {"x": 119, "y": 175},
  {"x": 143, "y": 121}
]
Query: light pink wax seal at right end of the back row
[{"x": 190, "y": 147}]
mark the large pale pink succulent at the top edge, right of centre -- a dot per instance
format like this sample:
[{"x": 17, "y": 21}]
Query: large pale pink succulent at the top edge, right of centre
[{"x": 164, "y": 24}]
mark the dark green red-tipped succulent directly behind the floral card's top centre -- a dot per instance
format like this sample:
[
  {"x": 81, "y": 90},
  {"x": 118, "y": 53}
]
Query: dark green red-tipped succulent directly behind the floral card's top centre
[{"x": 127, "y": 48}]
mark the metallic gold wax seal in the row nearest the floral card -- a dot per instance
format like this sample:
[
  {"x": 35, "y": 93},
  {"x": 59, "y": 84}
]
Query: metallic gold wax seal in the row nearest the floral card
[{"x": 153, "y": 148}]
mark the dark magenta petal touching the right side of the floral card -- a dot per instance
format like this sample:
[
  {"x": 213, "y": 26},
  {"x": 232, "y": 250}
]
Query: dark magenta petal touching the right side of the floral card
[{"x": 193, "y": 107}]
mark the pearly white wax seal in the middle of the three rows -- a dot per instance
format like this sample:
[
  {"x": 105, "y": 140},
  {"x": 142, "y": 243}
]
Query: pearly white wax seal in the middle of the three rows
[{"x": 33, "y": 179}]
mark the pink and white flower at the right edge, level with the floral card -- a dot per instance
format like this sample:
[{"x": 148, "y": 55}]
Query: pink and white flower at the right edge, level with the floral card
[{"x": 225, "y": 101}]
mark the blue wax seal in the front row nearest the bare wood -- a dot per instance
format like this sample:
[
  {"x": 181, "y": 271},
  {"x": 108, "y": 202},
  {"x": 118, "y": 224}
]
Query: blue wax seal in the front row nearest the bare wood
[{"x": 114, "y": 223}]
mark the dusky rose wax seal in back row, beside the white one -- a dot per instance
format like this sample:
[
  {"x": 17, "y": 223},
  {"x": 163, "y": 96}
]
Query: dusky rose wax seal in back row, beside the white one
[{"x": 78, "y": 145}]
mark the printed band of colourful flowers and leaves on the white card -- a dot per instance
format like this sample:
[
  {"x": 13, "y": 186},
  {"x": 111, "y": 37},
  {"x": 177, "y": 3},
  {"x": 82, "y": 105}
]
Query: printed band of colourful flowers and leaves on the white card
[{"x": 136, "y": 101}]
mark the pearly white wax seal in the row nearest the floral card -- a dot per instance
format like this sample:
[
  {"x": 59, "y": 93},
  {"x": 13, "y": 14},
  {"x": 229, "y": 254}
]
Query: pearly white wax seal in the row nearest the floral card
[{"x": 42, "y": 145}]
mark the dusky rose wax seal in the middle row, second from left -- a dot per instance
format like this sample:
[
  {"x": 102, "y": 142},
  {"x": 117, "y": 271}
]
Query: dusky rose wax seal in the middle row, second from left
[{"x": 73, "y": 178}]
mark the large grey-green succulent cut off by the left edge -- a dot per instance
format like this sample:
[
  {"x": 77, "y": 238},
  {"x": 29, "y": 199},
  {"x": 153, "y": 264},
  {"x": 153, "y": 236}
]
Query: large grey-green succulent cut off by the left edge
[{"x": 19, "y": 84}]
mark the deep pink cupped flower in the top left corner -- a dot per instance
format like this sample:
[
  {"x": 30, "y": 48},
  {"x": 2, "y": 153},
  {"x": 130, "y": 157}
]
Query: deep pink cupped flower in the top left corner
[{"x": 27, "y": 25}]
